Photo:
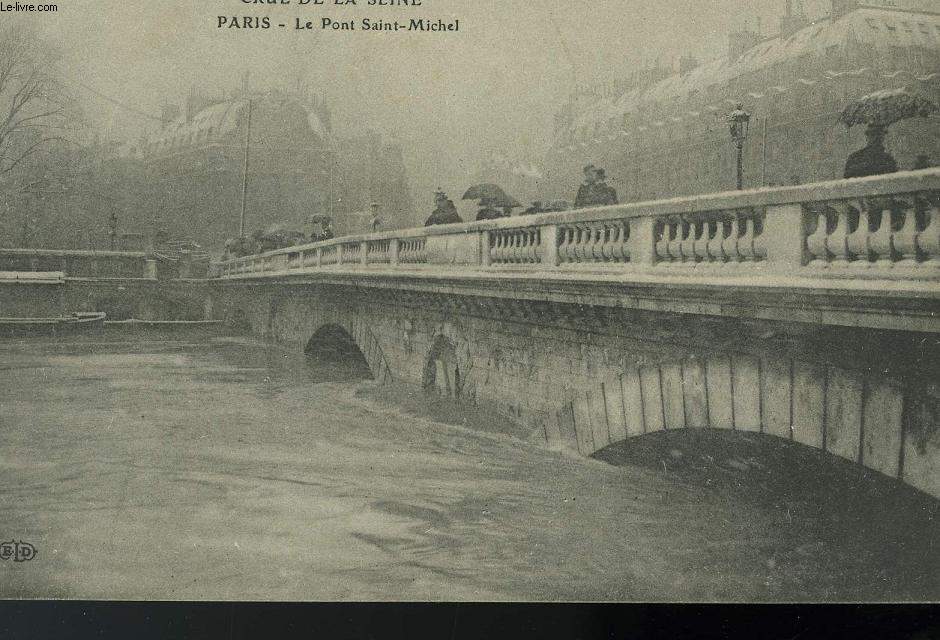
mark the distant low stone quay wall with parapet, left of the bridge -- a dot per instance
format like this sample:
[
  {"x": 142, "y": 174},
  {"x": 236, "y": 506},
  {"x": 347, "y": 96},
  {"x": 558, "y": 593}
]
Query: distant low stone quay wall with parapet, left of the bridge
[{"x": 124, "y": 284}]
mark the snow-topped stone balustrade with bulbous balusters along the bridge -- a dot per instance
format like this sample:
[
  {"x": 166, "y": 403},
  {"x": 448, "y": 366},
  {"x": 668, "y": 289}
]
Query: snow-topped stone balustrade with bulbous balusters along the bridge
[{"x": 878, "y": 227}]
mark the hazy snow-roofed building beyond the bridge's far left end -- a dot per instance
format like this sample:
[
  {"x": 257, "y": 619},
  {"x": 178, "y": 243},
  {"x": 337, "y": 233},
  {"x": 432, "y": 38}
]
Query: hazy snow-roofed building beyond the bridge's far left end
[{"x": 273, "y": 156}]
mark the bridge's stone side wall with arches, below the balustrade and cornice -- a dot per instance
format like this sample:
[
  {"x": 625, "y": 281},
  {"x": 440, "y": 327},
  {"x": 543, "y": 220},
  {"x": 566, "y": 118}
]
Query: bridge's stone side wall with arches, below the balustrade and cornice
[{"x": 585, "y": 377}]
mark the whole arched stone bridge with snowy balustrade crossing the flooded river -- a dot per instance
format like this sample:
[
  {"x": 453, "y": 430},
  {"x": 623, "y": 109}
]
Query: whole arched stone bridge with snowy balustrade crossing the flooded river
[{"x": 806, "y": 313}]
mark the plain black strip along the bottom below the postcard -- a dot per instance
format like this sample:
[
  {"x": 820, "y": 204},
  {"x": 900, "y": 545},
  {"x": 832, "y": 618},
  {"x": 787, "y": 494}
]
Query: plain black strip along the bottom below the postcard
[{"x": 234, "y": 621}]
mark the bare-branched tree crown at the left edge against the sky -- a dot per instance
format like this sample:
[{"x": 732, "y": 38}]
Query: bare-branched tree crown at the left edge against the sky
[{"x": 33, "y": 103}]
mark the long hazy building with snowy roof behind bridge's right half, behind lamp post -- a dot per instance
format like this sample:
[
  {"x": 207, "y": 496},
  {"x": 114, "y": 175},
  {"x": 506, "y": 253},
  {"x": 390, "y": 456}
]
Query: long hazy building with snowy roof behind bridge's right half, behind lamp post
[{"x": 668, "y": 136}]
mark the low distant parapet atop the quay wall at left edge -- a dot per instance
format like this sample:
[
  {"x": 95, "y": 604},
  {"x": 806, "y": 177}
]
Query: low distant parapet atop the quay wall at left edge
[{"x": 81, "y": 264}]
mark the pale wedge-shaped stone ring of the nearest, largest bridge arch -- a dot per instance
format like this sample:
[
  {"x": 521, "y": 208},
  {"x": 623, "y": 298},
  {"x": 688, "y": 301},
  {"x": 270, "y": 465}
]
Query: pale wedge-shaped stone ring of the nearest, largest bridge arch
[{"x": 875, "y": 421}]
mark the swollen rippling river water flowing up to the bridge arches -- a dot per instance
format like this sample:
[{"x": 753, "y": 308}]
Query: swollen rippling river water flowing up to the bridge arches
[{"x": 192, "y": 468}]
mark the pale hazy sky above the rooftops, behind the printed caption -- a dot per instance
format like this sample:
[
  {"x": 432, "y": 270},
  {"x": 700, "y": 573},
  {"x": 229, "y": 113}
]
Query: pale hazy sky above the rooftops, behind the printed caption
[{"x": 448, "y": 99}]
